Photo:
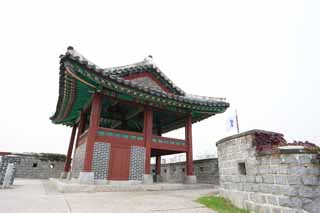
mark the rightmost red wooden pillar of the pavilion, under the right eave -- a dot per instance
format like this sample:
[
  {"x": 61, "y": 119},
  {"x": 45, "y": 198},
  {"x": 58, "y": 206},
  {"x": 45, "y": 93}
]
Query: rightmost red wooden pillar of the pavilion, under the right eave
[{"x": 188, "y": 132}]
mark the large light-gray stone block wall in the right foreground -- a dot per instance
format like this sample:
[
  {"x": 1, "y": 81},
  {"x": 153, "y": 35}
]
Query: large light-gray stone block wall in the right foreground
[{"x": 282, "y": 181}]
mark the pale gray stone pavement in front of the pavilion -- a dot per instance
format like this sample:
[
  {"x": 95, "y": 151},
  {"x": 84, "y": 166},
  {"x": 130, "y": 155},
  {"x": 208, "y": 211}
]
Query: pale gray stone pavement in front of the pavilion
[{"x": 33, "y": 196}]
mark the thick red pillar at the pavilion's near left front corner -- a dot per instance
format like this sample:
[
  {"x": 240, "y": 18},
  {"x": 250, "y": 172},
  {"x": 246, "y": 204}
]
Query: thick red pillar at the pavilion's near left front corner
[{"x": 92, "y": 131}]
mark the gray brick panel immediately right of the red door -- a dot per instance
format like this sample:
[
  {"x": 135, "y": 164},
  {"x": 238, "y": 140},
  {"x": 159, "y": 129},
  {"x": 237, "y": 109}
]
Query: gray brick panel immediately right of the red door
[{"x": 137, "y": 160}]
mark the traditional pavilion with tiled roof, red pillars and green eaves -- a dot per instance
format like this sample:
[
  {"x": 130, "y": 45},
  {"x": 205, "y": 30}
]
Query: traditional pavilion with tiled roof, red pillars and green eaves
[{"x": 118, "y": 116}]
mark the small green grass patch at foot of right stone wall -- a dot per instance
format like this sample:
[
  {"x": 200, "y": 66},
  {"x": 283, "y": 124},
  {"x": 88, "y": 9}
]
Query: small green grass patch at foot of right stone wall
[{"x": 220, "y": 205}]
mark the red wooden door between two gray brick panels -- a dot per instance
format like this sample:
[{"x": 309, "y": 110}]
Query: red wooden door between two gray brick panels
[{"x": 119, "y": 163}]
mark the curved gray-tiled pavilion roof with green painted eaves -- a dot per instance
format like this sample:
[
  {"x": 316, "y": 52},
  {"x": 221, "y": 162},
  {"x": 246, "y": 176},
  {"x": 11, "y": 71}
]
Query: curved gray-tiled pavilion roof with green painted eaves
[{"x": 80, "y": 78}]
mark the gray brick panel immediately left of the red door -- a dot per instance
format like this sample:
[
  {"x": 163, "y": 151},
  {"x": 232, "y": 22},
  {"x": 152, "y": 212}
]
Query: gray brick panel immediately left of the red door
[{"x": 100, "y": 161}]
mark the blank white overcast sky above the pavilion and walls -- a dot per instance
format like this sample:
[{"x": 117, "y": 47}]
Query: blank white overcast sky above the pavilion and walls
[{"x": 263, "y": 56}]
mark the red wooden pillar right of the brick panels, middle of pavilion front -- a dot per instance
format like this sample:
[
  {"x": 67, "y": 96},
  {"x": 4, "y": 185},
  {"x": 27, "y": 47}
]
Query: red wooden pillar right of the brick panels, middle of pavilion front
[{"x": 147, "y": 131}]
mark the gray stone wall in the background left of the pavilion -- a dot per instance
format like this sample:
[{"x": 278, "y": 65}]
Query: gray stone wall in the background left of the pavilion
[{"x": 39, "y": 166}]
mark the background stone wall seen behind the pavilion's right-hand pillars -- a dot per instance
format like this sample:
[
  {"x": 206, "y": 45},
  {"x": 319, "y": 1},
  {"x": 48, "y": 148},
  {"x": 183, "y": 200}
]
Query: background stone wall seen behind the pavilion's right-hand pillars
[{"x": 206, "y": 171}]
